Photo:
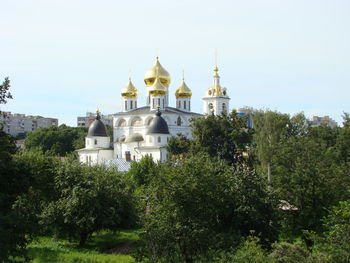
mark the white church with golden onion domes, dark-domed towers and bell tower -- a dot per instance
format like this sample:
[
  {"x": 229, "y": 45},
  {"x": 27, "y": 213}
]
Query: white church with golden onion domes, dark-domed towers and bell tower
[{"x": 140, "y": 131}]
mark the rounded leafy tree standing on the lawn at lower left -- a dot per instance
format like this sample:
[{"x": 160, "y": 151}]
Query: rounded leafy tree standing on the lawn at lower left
[{"x": 90, "y": 198}]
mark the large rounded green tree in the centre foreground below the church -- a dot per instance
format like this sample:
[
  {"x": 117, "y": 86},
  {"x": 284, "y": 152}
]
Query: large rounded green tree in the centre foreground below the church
[{"x": 201, "y": 204}]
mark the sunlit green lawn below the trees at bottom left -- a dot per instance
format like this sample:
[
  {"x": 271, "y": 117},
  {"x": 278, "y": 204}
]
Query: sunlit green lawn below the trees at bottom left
[{"x": 98, "y": 249}]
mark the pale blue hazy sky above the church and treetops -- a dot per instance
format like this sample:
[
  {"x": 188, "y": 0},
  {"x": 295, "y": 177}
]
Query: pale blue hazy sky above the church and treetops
[{"x": 67, "y": 57}]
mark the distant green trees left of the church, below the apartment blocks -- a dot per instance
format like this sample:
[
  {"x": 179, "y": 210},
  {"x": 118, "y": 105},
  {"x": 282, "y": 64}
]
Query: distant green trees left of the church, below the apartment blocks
[{"x": 57, "y": 140}]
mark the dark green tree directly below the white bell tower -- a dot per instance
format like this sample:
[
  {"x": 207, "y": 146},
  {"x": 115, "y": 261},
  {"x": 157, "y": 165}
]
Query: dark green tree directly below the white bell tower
[{"x": 225, "y": 136}]
